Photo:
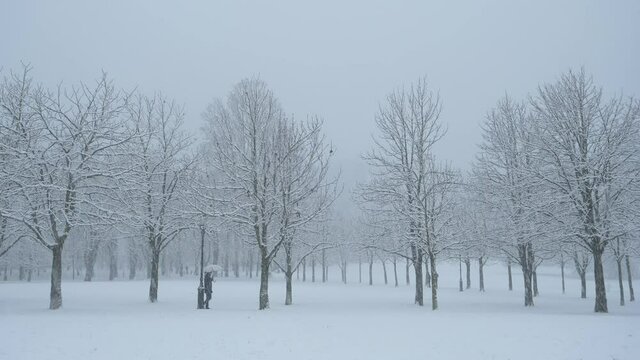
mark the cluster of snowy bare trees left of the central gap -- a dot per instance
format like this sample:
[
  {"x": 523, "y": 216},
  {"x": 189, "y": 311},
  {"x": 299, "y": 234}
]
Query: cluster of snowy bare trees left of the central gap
[{"x": 96, "y": 163}]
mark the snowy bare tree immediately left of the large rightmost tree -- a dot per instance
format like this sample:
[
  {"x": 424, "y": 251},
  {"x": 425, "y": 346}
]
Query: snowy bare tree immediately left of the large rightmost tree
[{"x": 503, "y": 185}]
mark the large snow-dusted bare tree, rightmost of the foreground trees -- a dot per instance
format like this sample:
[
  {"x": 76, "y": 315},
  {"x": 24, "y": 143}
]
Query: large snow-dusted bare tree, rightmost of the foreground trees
[{"x": 584, "y": 141}]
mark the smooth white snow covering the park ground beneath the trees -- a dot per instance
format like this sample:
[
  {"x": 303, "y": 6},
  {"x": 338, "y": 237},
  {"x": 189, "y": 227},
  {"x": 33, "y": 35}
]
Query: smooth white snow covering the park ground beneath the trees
[{"x": 113, "y": 320}]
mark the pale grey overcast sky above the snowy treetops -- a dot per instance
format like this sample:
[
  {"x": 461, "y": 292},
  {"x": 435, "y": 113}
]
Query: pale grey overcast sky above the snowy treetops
[{"x": 336, "y": 59}]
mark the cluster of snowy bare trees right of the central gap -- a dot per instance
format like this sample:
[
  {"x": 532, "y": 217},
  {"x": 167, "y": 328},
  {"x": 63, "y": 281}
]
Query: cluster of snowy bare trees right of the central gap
[{"x": 557, "y": 176}]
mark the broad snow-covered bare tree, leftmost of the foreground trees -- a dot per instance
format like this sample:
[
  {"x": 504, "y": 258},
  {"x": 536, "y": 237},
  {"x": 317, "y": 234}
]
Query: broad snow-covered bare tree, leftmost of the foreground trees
[{"x": 63, "y": 142}]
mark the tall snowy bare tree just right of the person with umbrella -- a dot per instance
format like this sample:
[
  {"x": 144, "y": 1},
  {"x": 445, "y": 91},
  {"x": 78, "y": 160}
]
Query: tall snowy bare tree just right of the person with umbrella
[{"x": 241, "y": 135}]
